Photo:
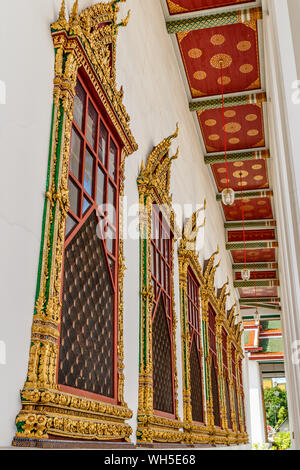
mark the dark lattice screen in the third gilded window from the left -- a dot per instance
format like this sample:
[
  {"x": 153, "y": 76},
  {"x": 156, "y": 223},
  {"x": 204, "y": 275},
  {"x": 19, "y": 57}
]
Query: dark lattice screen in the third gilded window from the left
[{"x": 196, "y": 385}]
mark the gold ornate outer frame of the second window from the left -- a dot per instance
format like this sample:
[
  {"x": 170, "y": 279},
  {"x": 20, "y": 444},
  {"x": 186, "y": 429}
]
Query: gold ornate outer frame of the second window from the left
[{"x": 154, "y": 186}]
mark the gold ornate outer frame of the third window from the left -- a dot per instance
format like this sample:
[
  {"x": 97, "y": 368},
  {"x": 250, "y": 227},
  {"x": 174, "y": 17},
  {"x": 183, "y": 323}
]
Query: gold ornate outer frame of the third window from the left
[{"x": 194, "y": 433}]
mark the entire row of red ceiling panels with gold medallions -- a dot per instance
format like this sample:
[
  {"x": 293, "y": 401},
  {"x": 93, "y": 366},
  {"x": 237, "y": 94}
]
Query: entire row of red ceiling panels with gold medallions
[{"x": 237, "y": 45}]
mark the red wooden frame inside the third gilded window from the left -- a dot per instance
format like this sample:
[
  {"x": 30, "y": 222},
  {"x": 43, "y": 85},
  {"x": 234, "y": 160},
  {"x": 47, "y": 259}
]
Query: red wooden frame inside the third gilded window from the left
[{"x": 193, "y": 317}]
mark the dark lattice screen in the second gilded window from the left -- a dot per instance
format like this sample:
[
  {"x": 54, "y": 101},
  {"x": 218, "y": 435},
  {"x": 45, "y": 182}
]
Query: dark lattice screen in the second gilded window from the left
[{"x": 162, "y": 364}]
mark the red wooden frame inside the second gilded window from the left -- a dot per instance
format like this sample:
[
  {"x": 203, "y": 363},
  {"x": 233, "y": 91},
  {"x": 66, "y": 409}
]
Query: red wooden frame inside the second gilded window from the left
[{"x": 161, "y": 276}]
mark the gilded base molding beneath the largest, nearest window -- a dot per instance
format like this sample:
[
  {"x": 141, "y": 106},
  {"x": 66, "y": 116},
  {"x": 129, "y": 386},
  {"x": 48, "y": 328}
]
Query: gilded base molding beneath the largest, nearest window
[{"x": 47, "y": 413}]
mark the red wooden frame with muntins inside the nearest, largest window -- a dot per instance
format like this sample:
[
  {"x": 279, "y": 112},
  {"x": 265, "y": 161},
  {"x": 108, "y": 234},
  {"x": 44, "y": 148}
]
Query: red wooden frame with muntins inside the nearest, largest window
[{"x": 91, "y": 192}]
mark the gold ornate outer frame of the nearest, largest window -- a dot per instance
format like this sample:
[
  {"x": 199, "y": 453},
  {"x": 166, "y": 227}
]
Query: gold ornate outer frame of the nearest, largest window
[{"x": 46, "y": 411}]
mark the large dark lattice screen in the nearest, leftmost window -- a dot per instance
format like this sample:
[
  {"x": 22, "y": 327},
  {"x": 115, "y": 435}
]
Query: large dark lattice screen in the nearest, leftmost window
[{"x": 86, "y": 349}]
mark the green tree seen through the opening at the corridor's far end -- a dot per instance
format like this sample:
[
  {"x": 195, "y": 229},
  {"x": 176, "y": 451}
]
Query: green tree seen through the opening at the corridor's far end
[{"x": 276, "y": 405}]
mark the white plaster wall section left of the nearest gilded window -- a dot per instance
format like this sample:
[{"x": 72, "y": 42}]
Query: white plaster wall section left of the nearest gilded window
[{"x": 26, "y": 67}]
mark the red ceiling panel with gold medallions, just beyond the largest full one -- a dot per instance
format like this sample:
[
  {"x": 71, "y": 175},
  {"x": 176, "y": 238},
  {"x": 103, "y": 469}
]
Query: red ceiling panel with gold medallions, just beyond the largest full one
[{"x": 244, "y": 128}]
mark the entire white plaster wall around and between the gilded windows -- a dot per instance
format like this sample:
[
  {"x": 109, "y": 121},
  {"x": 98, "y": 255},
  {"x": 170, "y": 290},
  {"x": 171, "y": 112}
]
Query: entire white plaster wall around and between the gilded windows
[{"x": 155, "y": 100}]
